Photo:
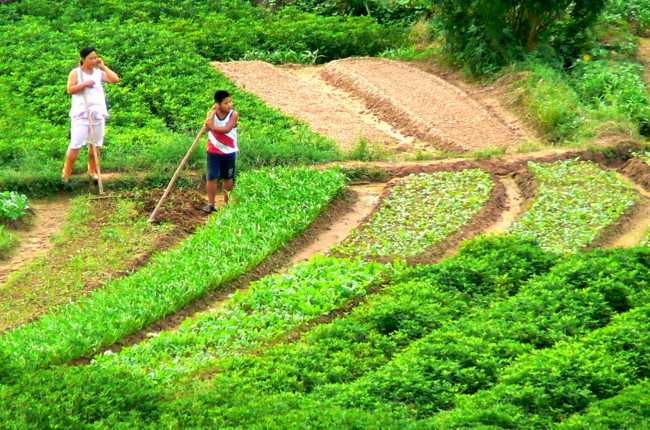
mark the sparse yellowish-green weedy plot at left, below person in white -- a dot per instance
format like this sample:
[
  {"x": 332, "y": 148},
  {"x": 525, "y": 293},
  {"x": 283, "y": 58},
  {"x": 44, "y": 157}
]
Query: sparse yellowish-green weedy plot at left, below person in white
[{"x": 98, "y": 240}]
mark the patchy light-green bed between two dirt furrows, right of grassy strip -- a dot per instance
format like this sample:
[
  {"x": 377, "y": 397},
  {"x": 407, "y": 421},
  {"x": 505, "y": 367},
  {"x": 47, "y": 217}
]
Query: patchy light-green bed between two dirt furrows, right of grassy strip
[{"x": 420, "y": 211}]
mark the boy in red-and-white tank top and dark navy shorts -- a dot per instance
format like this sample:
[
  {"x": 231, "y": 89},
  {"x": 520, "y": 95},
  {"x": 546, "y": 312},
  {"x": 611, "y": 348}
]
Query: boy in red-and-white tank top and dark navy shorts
[{"x": 221, "y": 123}]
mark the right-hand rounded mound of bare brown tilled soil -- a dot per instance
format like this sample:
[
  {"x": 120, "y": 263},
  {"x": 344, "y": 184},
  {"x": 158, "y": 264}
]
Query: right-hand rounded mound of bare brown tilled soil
[{"x": 421, "y": 104}]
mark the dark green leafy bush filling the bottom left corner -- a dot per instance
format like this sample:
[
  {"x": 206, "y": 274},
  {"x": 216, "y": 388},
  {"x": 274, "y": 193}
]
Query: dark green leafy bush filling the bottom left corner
[{"x": 77, "y": 397}]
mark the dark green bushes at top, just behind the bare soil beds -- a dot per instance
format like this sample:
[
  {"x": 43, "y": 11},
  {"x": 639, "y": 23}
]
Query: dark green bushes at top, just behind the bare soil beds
[{"x": 316, "y": 39}]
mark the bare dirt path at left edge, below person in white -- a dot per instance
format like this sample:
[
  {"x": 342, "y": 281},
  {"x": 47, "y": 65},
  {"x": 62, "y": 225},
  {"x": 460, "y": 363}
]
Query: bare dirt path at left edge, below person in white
[{"x": 50, "y": 216}]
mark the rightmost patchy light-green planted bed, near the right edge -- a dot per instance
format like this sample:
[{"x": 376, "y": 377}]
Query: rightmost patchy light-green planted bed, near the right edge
[{"x": 575, "y": 201}]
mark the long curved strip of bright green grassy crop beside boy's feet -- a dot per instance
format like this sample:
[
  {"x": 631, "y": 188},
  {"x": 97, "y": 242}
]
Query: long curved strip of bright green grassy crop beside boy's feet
[{"x": 272, "y": 206}]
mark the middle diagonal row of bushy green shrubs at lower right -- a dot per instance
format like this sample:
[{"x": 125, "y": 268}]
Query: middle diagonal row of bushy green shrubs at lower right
[{"x": 470, "y": 353}]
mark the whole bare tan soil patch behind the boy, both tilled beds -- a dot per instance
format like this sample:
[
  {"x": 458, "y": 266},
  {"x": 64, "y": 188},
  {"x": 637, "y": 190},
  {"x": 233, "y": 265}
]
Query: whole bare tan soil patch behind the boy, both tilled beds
[{"x": 389, "y": 103}]
